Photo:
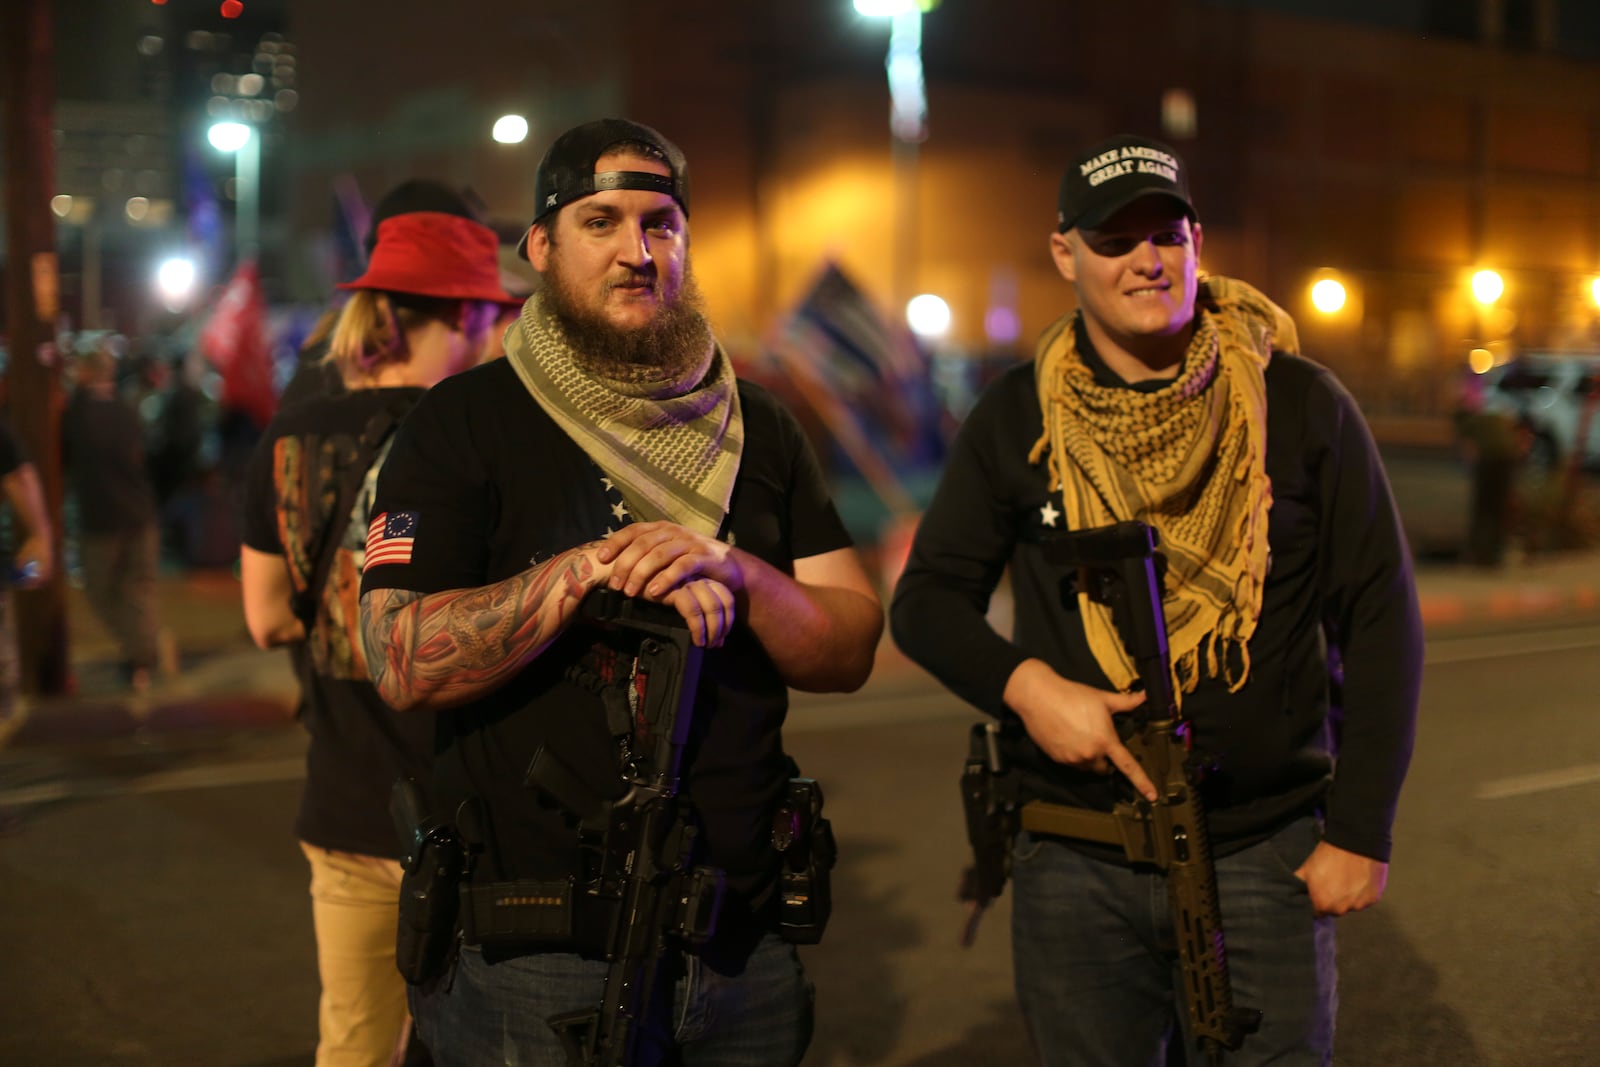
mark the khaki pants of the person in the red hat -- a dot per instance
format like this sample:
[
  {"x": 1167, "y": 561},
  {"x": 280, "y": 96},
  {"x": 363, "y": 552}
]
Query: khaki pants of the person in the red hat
[{"x": 356, "y": 903}]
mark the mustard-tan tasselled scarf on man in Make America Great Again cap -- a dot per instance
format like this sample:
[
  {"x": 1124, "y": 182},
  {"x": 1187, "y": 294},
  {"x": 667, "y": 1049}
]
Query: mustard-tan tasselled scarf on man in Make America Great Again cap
[{"x": 1190, "y": 460}]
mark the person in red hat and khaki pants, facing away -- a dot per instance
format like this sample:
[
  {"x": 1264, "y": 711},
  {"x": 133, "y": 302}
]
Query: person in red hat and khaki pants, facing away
[{"x": 420, "y": 313}]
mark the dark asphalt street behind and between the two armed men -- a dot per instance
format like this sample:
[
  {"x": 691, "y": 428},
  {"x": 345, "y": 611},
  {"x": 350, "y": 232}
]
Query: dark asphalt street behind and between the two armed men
[{"x": 154, "y": 908}]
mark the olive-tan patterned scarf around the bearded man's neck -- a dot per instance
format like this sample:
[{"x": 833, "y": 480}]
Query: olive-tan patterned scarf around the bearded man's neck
[{"x": 671, "y": 447}]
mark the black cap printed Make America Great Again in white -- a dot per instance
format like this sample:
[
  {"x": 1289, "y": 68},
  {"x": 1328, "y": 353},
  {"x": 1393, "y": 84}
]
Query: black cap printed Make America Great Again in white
[{"x": 1113, "y": 175}]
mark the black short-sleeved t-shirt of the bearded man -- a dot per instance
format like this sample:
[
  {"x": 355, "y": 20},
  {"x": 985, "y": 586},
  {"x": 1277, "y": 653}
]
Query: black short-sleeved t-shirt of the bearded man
[{"x": 489, "y": 486}]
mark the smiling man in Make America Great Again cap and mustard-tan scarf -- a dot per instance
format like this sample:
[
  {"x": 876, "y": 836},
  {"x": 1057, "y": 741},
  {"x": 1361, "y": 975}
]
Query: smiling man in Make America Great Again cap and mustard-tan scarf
[{"x": 1177, "y": 401}]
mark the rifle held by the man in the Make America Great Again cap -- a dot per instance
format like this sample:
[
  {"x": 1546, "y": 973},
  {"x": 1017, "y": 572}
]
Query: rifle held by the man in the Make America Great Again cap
[{"x": 1118, "y": 567}]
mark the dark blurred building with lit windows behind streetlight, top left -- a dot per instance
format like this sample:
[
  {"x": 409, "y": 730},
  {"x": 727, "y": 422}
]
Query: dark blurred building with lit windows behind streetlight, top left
[{"x": 138, "y": 84}]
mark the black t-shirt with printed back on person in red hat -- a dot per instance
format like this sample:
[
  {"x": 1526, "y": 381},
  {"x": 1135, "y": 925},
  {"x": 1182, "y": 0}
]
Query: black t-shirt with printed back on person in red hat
[{"x": 359, "y": 746}]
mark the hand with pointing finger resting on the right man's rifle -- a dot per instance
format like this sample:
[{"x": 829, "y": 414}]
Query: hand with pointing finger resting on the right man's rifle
[{"x": 1073, "y": 724}]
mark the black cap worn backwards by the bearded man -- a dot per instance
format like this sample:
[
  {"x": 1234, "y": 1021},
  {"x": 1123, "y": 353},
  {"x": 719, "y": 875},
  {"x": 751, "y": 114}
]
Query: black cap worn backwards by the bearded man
[{"x": 569, "y": 169}]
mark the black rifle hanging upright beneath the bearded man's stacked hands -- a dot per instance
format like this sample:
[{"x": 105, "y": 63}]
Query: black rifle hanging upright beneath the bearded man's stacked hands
[{"x": 647, "y": 845}]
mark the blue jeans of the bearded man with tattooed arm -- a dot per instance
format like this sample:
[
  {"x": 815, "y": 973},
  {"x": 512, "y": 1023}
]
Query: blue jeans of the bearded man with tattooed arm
[{"x": 497, "y": 1013}]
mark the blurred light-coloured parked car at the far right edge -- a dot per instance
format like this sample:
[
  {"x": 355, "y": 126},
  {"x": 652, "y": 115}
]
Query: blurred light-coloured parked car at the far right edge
[{"x": 1556, "y": 396}]
